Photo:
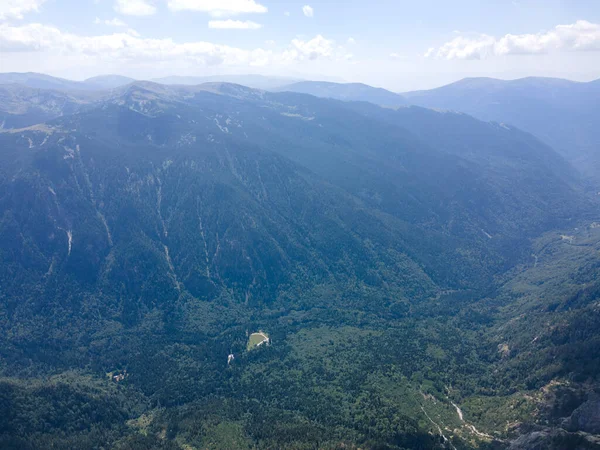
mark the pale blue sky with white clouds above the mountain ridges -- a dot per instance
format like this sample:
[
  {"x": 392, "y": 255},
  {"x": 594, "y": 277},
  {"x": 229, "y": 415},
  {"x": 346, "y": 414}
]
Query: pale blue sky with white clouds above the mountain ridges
[{"x": 400, "y": 45}]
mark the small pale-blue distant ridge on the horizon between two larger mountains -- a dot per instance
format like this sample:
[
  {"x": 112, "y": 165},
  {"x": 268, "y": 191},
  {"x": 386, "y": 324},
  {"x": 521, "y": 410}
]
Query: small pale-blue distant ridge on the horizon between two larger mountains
[{"x": 347, "y": 92}]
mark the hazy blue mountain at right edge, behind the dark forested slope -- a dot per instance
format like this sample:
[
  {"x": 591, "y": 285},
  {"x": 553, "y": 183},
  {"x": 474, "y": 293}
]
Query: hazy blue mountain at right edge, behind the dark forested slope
[{"x": 560, "y": 112}]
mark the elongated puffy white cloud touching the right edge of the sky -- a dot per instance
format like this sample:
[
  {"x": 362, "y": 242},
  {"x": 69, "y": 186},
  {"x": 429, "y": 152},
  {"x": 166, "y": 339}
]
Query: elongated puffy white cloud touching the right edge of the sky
[{"x": 580, "y": 36}]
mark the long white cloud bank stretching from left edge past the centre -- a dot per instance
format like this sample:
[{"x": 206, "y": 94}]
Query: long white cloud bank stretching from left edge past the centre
[{"x": 128, "y": 48}]
